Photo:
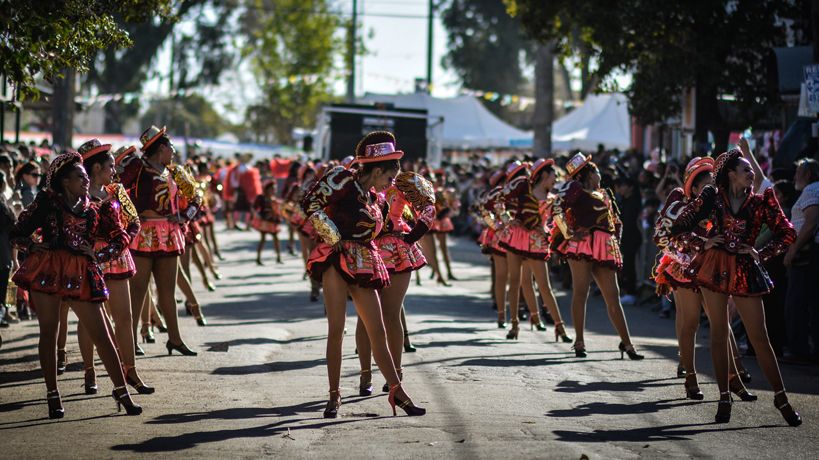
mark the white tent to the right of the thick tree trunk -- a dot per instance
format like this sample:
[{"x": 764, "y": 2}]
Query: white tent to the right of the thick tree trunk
[{"x": 602, "y": 119}]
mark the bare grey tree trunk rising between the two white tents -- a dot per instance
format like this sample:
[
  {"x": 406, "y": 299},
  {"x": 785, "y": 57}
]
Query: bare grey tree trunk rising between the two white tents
[{"x": 544, "y": 100}]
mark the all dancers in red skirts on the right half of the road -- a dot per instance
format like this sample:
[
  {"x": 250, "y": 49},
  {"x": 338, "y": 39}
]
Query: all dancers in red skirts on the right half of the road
[{"x": 706, "y": 232}]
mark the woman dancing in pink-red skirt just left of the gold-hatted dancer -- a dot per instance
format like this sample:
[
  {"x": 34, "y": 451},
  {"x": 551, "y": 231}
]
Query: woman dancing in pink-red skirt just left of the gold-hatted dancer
[{"x": 526, "y": 239}]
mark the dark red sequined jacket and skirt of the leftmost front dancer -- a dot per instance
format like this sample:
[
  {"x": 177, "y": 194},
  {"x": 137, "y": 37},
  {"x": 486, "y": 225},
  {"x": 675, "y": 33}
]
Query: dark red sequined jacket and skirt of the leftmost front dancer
[{"x": 63, "y": 269}]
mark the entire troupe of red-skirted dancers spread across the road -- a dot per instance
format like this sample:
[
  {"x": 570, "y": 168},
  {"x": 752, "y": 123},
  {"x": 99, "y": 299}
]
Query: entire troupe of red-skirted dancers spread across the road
[{"x": 107, "y": 225}]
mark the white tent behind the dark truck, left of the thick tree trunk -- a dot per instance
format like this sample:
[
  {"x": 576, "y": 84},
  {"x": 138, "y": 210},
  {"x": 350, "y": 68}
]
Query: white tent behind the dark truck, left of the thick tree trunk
[{"x": 467, "y": 123}]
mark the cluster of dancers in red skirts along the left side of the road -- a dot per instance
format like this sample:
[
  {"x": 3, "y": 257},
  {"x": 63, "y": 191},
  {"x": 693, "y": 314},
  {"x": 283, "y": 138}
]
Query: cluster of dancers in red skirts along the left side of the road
[{"x": 93, "y": 240}]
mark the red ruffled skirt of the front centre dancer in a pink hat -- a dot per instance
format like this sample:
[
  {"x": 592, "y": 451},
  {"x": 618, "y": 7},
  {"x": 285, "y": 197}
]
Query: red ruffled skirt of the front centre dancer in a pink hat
[{"x": 358, "y": 263}]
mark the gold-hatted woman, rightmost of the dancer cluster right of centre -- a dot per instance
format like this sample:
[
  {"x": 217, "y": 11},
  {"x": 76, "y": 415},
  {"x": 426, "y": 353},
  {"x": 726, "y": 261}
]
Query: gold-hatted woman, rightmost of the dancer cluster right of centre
[{"x": 589, "y": 226}]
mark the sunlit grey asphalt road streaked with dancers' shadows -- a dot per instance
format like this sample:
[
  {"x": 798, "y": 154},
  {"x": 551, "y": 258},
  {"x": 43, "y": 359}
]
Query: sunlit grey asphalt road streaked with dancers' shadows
[{"x": 258, "y": 386}]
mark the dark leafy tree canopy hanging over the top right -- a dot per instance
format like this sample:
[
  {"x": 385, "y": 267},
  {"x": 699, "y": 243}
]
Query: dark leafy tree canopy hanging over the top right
[{"x": 718, "y": 47}]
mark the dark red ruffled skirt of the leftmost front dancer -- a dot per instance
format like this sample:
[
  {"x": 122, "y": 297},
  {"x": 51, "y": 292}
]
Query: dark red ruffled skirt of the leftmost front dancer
[{"x": 63, "y": 274}]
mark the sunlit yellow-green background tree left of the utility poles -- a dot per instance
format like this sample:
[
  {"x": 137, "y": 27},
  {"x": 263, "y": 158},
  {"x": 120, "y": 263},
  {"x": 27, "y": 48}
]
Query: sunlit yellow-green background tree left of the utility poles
[{"x": 292, "y": 46}]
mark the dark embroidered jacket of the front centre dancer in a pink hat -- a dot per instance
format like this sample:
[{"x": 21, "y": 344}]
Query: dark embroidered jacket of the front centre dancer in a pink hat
[{"x": 340, "y": 209}]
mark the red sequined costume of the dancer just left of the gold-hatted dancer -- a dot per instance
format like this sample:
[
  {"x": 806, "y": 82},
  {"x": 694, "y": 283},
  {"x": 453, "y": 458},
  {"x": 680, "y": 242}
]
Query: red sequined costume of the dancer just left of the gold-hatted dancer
[{"x": 525, "y": 234}]
